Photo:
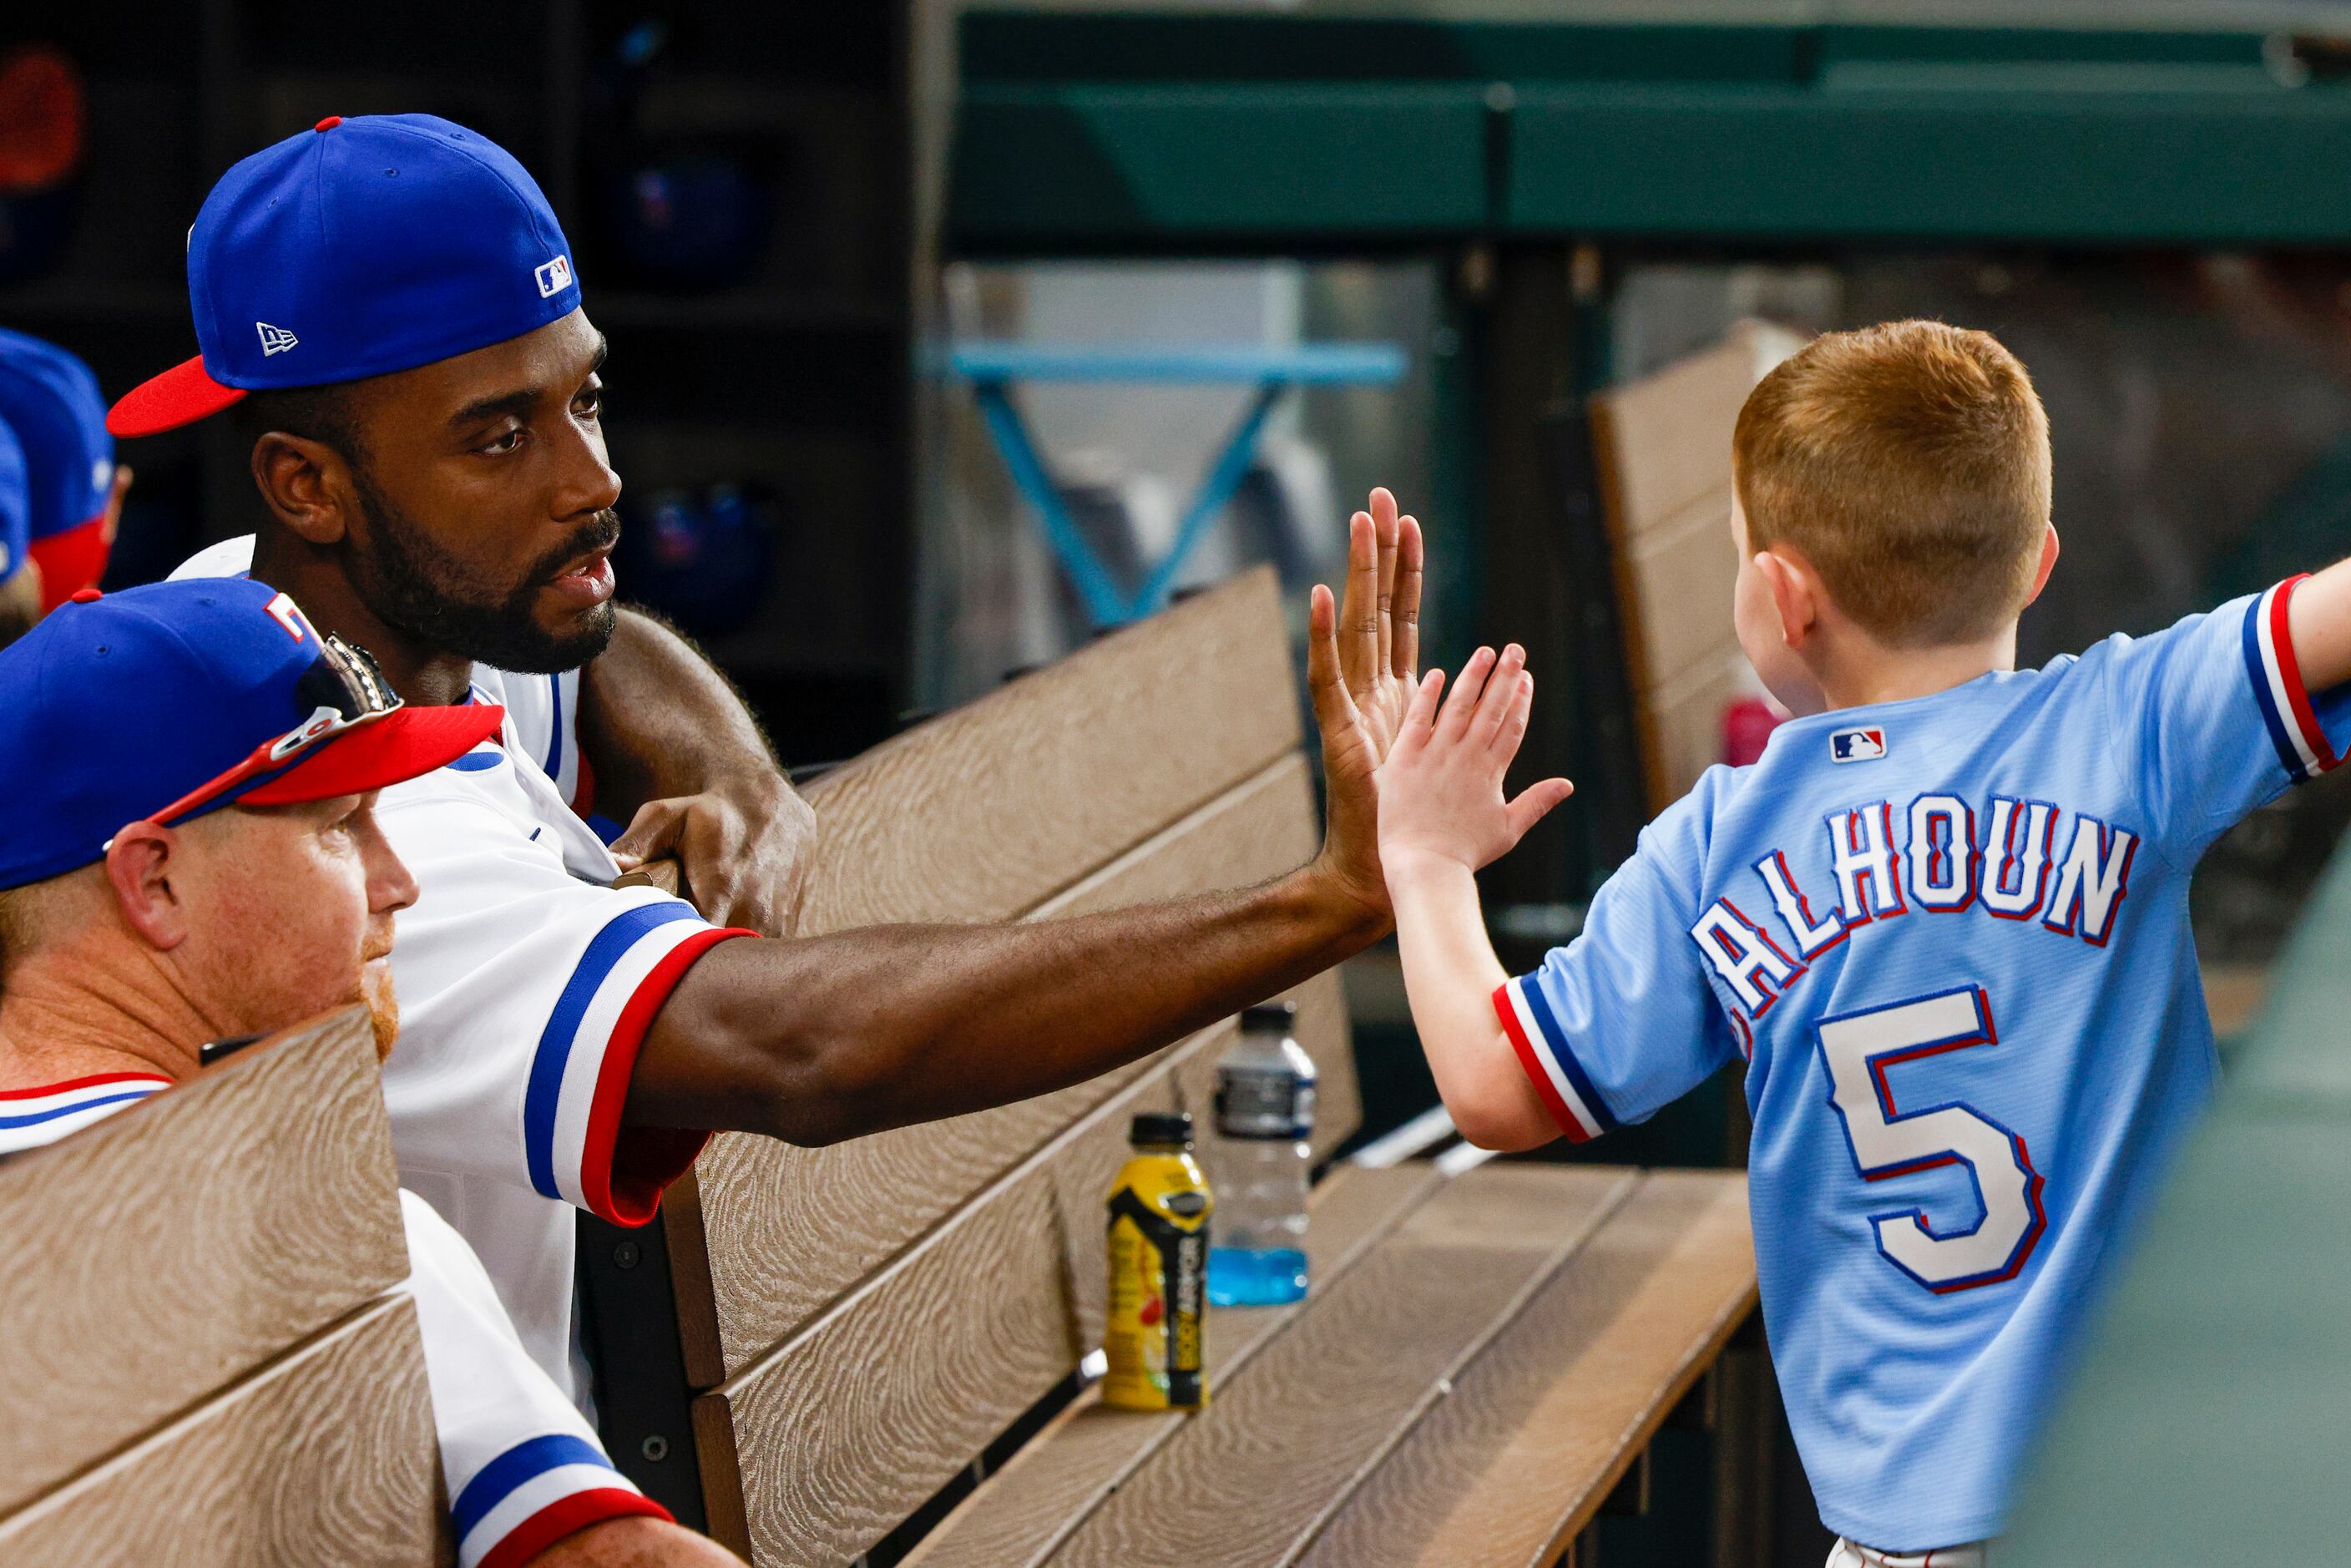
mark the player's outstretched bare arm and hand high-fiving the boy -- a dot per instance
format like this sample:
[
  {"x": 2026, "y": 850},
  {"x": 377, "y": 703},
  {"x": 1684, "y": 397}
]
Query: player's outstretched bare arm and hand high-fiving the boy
[{"x": 862, "y": 1031}]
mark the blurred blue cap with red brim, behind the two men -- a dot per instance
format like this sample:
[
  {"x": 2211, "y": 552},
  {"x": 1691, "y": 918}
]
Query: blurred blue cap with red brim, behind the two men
[{"x": 69, "y": 462}]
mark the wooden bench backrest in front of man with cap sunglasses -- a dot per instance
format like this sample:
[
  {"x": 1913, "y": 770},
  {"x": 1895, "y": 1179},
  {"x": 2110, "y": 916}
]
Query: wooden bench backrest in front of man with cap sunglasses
[{"x": 206, "y": 1362}]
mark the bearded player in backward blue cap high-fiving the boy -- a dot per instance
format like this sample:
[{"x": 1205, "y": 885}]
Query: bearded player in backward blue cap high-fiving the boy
[{"x": 391, "y": 311}]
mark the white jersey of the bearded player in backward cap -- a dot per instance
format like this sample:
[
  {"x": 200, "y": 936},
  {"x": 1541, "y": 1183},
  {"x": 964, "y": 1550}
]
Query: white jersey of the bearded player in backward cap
[{"x": 525, "y": 989}]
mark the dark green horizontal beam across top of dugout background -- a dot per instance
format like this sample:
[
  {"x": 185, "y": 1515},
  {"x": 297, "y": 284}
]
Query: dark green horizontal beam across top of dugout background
[{"x": 1348, "y": 126}]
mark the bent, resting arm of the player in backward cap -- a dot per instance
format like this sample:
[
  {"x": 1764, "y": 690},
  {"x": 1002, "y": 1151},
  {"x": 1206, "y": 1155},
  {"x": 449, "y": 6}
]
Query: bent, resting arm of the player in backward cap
[{"x": 671, "y": 742}]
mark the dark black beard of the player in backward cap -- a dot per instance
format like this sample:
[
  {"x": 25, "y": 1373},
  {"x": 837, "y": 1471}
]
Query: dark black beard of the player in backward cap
[{"x": 420, "y": 589}]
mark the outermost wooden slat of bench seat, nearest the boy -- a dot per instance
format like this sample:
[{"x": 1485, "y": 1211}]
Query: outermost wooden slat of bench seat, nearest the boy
[{"x": 1539, "y": 1428}]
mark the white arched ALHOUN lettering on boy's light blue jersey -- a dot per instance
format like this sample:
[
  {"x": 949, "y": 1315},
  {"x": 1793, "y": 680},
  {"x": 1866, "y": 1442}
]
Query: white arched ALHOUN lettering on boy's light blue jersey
[{"x": 1924, "y": 857}]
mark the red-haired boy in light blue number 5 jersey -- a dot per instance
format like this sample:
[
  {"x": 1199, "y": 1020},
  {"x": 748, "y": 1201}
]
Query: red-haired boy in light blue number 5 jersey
[{"x": 1945, "y": 918}]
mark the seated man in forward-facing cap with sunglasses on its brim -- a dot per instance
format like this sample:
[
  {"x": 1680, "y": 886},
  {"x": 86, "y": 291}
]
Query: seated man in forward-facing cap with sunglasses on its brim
[{"x": 192, "y": 855}]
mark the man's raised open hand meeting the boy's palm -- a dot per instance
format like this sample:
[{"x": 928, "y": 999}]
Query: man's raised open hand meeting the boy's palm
[{"x": 1365, "y": 666}]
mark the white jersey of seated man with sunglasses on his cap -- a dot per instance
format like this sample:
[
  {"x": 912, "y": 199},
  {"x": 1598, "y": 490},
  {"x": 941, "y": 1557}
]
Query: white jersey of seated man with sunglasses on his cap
[{"x": 518, "y": 1459}]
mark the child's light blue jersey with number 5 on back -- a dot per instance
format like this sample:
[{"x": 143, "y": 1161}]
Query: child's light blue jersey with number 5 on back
[{"x": 1953, "y": 942}]
